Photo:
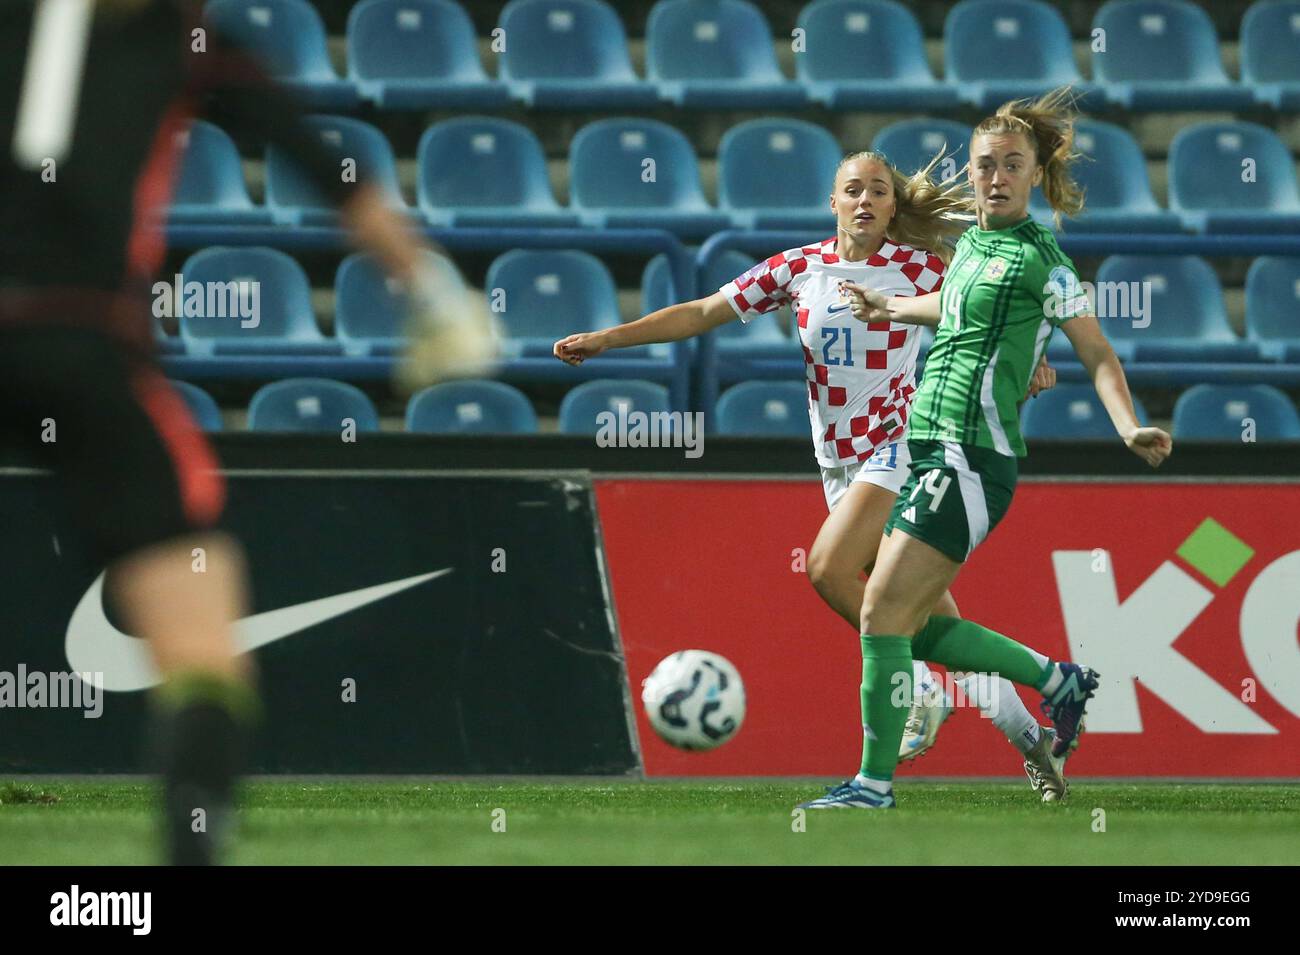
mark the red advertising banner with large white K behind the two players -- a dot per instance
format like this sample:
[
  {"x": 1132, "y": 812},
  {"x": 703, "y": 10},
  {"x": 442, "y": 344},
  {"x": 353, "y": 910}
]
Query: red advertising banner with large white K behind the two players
[{"x": 1186, "y": 598}]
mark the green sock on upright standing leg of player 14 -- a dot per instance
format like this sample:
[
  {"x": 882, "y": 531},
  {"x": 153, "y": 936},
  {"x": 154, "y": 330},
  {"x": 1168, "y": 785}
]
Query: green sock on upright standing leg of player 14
[{"x": 886, "y": 701}]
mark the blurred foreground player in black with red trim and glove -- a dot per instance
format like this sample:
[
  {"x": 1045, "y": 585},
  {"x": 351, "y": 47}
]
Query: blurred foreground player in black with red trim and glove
[{"x": 92, "y": 98}]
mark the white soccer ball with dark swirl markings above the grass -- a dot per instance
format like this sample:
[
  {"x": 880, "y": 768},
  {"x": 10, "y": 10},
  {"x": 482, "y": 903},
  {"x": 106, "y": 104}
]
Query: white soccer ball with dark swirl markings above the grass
[{"x": 695, "y": 700}]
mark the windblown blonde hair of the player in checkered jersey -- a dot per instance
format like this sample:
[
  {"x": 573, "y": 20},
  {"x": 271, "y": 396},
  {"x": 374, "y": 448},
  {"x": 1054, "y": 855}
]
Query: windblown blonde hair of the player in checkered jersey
[{"x": 928, "y": 215}]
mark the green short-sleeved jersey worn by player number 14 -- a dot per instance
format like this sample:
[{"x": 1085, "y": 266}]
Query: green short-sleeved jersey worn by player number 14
[{"x": 1004, "y": 294}]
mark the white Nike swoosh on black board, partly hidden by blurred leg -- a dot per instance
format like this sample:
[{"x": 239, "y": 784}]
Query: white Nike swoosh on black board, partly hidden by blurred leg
[{"x": 94, "y": 645}]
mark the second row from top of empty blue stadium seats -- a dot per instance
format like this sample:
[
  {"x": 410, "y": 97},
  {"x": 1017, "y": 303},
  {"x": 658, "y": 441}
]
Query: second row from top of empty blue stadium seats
[{"x": 773, "y": 175}]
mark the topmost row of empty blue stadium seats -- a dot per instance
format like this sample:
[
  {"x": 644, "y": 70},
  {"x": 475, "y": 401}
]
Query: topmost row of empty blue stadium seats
[{"x": 574, "y": 54}]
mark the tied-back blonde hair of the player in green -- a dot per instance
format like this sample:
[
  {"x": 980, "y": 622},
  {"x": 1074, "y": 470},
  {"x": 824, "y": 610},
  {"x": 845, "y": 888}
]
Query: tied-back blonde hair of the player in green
[{"x": 1048, "y": 123}]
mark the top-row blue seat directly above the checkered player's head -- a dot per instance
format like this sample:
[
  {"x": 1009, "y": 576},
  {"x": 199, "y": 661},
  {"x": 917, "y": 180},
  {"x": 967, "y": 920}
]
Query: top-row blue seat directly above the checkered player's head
[{"x": 895, "y": 76}]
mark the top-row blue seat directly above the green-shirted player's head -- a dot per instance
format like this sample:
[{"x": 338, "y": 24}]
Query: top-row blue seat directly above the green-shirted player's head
[{"x": 1006, "y": 50}]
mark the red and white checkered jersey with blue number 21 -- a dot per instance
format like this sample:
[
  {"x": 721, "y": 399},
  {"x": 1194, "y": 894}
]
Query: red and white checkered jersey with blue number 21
[{"x": 861, "y": 375}]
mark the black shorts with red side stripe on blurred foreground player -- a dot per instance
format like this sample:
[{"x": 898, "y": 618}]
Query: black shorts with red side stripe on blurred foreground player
[{"x": 133, "y": 463}]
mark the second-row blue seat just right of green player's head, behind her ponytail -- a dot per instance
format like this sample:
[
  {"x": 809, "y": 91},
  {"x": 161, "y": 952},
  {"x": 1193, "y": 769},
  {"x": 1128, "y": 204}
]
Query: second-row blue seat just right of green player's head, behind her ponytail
[{"x": 1117, "y": 190}]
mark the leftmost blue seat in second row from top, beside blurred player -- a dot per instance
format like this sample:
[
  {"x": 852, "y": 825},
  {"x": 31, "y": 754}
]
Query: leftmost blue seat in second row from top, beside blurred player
[{"x": 211, "y": 188}]
